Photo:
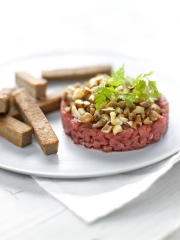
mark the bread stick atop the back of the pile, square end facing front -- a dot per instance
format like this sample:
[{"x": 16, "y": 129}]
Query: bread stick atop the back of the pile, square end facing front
[{"x": 36, "y": 87}]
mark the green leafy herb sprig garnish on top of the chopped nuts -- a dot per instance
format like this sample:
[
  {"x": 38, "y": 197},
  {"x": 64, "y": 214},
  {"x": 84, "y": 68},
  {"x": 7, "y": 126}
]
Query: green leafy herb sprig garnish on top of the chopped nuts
[{"x": 119, "y": 87}]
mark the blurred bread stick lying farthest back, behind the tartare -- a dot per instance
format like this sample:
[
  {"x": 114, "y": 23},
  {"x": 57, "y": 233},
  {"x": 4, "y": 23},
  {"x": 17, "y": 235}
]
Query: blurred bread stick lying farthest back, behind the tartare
[{"x": 76, "y": 73}]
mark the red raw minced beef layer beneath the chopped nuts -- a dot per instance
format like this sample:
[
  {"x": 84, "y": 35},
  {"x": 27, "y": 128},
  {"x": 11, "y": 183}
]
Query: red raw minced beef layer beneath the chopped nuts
[{"x": 128, "y": 139}]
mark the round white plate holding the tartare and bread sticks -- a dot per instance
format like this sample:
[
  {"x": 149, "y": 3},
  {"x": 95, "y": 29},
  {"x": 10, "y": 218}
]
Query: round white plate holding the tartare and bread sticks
[{"x": 73, "y": 161}]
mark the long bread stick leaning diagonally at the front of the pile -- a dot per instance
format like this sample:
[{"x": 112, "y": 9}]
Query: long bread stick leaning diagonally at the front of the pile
[{"x": 34, "y": 117}]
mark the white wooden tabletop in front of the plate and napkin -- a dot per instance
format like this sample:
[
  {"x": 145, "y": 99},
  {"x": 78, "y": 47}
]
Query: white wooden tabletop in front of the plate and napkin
[{"x": 28, "y": 212}]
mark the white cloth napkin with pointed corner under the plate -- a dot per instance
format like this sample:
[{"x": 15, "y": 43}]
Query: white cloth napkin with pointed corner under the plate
[{"x": 93, "y": 198}]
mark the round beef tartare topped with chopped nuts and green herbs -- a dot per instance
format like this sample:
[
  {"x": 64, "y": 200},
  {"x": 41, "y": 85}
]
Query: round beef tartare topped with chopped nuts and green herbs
[{"x": 120, "y": 122}]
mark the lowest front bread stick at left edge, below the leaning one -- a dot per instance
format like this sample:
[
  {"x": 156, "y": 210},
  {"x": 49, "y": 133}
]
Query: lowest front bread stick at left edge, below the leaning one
[{"x": 15, "y": 131}]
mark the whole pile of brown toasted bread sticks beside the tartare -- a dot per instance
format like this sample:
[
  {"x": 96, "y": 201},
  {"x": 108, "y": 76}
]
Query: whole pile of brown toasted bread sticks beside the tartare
[{"x": 22, "y": 110}]
